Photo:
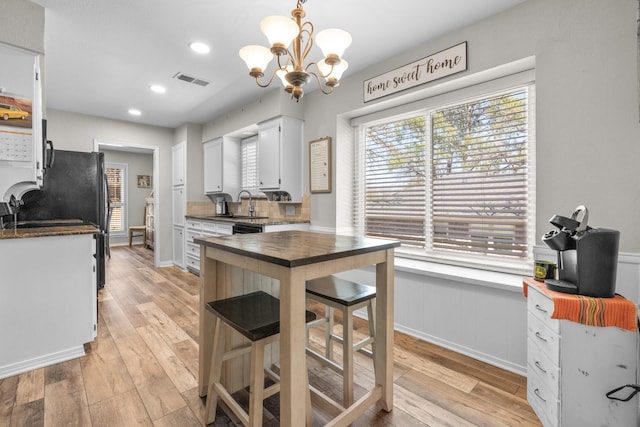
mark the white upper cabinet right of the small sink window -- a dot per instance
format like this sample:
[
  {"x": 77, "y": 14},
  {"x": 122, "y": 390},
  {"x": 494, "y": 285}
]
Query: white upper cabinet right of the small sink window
[{"x": 280, "y": 157}]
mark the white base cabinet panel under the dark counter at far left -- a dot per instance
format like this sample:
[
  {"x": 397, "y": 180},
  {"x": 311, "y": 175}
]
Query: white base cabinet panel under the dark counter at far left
[{"x": 49, "y": 300}]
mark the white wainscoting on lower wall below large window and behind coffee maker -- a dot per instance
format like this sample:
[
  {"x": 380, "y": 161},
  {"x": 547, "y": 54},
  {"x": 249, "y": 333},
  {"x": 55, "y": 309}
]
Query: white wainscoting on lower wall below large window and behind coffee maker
[{"x": 484, "y": 321}]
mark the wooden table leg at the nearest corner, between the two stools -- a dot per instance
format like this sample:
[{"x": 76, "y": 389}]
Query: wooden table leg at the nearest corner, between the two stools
[{"x": 293, "y": 366}]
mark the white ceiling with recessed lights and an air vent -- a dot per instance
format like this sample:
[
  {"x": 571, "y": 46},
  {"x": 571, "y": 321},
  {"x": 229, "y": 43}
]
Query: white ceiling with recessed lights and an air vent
[{"x": 102, "y": 55}]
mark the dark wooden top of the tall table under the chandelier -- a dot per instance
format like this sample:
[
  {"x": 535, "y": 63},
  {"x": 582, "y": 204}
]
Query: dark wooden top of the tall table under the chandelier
[{"x": 296, "y": 248}]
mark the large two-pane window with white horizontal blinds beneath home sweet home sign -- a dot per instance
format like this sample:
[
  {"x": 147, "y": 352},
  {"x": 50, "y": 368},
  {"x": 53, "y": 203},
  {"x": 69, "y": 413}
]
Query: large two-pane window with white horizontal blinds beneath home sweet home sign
[{"x": 451, "y": 183}]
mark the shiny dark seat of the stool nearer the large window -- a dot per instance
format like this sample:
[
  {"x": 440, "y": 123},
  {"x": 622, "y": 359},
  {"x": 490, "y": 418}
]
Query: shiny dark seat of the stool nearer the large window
[{"x": 340, "y": 291}]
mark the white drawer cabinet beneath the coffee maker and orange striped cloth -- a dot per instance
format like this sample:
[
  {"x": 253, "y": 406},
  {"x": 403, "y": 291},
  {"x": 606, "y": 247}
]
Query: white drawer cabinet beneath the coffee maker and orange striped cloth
[{"x": 571, "y": 366}]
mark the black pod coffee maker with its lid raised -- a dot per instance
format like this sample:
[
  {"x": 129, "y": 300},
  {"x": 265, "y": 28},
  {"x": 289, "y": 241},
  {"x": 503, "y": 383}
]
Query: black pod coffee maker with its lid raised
[{"x": 587, "y": 257}]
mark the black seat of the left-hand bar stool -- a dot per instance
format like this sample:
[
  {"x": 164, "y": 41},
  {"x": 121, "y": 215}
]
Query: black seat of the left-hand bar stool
[{"x": 255, "y": 315}]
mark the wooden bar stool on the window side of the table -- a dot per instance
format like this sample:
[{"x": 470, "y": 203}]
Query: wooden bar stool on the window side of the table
[{"x": 346, "y": 296}]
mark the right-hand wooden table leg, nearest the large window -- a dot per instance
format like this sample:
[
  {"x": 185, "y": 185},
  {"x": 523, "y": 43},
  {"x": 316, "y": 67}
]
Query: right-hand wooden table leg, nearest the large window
[{"x": 384, "y": 329}]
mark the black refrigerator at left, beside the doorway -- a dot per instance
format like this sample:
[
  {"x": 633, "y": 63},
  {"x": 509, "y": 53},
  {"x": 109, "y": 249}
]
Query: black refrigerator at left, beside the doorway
[{"x": 75, "y": 188}]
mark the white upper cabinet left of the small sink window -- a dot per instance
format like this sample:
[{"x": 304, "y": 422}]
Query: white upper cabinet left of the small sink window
[{"x": 222, "y": 166}]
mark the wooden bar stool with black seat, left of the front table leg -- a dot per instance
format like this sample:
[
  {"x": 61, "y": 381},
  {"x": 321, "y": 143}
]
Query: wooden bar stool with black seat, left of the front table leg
[{"x": 257, "y": 317}]
